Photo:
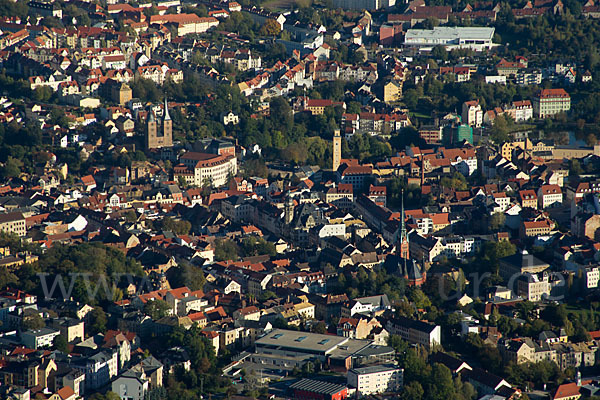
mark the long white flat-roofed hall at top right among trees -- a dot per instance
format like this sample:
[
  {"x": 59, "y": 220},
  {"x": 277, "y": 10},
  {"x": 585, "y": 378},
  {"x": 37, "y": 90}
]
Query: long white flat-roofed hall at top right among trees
[{"x": 451, "y": 37}]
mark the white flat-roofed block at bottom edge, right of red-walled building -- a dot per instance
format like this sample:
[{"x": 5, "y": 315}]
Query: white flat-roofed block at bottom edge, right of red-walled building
[{"x": 376, "y": 379}]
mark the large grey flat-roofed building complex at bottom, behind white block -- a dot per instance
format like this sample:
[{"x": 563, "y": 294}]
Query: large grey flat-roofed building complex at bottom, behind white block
[{"x": 289, "y": 349}]
